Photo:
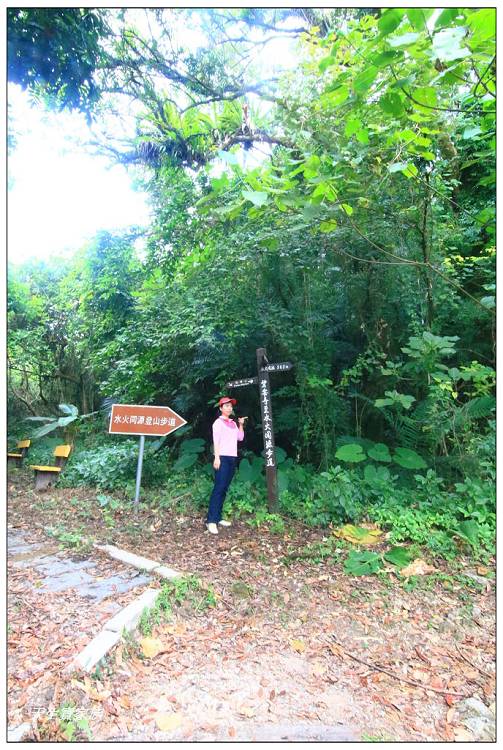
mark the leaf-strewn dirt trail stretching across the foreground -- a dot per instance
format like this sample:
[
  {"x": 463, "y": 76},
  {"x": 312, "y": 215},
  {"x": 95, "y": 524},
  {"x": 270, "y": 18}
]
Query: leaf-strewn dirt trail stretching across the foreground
[{"x": 272, "y": 659}]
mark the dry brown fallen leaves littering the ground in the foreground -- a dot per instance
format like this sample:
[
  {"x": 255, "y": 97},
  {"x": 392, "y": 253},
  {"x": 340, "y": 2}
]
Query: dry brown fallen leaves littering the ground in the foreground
[{"x": 290, "y": 610}]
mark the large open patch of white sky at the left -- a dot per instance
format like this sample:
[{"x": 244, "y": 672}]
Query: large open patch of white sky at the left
[{"x": 59, "y": 196}]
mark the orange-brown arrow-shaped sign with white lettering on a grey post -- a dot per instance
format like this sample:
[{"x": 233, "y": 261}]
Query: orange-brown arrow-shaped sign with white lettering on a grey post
[{"x": 133, "y": 419}]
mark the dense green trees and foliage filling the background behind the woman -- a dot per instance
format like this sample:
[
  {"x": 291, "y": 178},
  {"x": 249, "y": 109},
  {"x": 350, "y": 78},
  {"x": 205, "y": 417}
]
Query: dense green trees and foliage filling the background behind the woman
[{"x": 360, "y": 247}]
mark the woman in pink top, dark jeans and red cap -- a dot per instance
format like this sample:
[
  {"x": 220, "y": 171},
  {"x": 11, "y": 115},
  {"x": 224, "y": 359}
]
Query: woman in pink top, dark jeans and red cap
[{"x": 225, "y": 446}]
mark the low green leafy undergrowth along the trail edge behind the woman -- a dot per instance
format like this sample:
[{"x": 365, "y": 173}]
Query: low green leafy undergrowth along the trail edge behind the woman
[{"x": 421, "y": 507}]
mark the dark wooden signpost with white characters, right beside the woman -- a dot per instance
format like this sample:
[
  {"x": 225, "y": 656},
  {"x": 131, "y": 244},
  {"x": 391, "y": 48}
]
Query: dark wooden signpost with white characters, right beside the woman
[{"x": 263, "y": 369}]
